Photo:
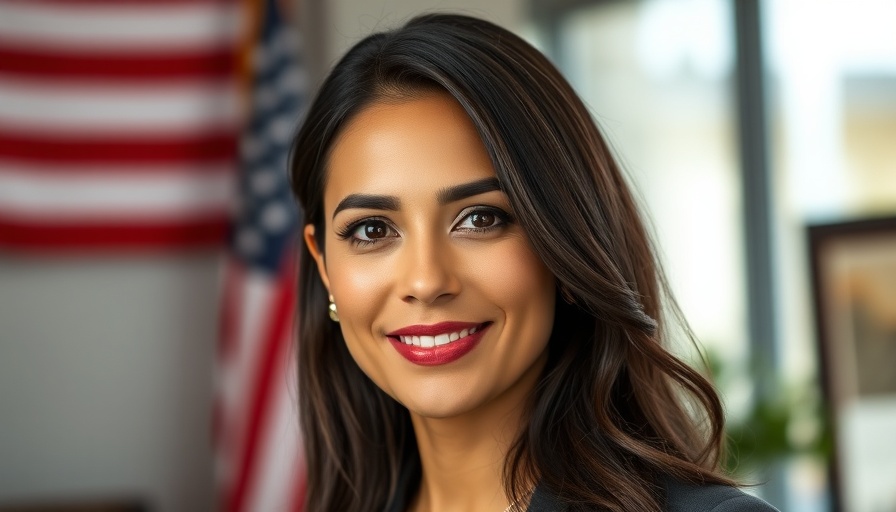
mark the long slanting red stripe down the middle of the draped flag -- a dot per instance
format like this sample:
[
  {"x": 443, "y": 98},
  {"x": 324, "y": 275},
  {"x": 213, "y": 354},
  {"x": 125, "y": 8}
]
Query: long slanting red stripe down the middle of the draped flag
[{"x": 260, "y": 408}]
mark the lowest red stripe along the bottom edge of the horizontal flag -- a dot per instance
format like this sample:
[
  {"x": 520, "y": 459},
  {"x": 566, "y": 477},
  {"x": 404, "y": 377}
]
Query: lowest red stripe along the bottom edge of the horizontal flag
[{"x": 198, "y": 233}]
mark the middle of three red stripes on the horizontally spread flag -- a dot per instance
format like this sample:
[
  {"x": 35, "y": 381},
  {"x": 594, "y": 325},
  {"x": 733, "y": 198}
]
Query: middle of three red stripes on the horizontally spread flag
[{"x": 113, "y": 148}]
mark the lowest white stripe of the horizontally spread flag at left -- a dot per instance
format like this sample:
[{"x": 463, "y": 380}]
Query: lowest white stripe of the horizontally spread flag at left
[{"x": 75, "y": 198}]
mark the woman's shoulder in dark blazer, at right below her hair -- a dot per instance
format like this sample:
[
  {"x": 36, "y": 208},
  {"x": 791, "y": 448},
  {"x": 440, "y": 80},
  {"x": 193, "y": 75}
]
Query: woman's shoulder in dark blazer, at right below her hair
[{"x": 682, "y": 497}]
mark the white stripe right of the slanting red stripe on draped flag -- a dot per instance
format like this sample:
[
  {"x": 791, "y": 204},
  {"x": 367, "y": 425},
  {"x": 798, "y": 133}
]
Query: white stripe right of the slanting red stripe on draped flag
[{"x": 279, "y": 457}]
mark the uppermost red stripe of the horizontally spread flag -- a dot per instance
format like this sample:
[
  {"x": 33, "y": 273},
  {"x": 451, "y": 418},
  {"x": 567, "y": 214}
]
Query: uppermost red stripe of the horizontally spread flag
[{"x": 116, "y": 67}]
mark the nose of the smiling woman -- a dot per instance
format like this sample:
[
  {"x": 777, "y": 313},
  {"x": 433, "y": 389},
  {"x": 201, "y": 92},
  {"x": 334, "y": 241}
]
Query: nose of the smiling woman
[{"x": 428, "y": 271}]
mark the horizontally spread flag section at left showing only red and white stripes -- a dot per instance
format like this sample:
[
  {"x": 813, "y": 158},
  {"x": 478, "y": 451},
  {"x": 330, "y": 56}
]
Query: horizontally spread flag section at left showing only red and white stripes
[{"x": 118, "y": 123}]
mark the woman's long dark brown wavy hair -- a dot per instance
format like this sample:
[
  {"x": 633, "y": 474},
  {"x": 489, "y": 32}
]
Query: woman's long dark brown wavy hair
[{"x": 614, "y": 413}]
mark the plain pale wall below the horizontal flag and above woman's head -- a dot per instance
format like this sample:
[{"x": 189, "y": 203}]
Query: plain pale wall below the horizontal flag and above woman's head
[{"x": 106, "y": 363}]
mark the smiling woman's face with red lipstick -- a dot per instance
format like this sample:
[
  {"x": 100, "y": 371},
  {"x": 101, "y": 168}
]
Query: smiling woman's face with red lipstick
[{"x": 441, "y": 300}]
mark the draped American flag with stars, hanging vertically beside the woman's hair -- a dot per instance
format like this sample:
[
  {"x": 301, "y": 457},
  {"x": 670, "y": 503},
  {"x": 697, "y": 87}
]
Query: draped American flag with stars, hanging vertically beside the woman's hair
[{"x": 259, "y": 454}]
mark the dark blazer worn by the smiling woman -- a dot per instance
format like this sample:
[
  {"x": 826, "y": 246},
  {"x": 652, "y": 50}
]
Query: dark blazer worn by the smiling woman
[{"x": 679, "y": 498}]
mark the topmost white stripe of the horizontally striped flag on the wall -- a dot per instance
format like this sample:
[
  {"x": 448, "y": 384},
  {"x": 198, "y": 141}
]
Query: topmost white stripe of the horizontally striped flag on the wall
[{"x": 120, "y": 27}]
